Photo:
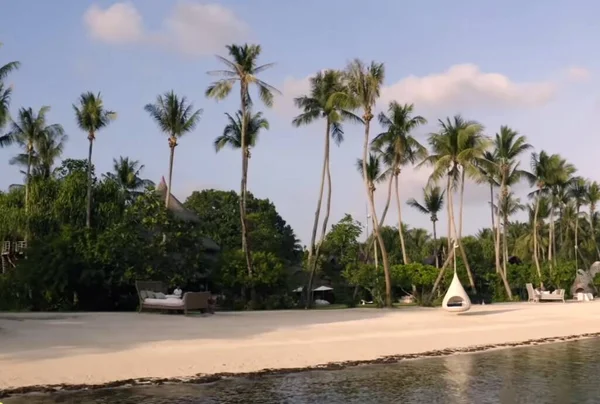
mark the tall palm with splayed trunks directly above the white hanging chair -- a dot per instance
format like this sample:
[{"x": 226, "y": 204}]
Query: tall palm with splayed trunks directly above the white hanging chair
[{"x": 457, "y": 149}]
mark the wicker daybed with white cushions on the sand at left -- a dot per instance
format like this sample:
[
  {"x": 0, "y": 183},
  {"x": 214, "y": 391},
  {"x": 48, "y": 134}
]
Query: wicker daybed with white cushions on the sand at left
[{"x": 147, "y": 291}]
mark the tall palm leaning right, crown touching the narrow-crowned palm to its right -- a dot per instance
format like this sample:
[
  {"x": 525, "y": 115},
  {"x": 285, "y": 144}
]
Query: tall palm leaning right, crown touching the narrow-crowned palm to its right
[{"x": 325, "y": 101}]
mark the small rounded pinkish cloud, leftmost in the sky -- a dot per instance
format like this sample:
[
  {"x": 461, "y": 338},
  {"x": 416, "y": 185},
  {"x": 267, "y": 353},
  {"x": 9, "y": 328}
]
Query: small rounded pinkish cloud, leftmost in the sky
[{"x": 119, "y": 23}]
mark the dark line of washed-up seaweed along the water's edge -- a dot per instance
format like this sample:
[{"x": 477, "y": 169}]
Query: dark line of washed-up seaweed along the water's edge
[{"x": 210, "y": 378}]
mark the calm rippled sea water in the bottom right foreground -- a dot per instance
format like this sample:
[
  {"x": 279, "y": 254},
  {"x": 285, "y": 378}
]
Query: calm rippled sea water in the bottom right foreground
[{"x": 559, "y": 373}]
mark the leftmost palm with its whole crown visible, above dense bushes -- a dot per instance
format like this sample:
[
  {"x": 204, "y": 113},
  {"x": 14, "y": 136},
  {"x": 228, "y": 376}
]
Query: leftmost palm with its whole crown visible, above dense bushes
[{"x": 28, "y": 131}]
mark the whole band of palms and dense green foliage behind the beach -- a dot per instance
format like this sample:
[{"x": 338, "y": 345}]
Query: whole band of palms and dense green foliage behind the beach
[{"x": 89, "y": 236}]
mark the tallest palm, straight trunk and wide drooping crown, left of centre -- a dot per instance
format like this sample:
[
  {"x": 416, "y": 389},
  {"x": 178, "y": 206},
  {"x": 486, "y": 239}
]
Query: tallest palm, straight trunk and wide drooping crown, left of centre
[{"x": 242, "y": 68}]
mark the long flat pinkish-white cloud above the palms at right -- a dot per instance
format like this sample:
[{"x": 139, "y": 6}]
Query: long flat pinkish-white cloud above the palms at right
[{"x": 466, "y": 85}]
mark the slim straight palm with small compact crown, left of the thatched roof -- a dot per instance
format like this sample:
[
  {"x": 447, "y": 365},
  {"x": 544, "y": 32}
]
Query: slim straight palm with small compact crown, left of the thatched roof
[{"x": 91, "y": 117}]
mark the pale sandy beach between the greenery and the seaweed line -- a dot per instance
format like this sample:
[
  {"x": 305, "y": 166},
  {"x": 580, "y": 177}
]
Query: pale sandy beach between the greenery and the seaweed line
[{"x": 45, "y": 348}]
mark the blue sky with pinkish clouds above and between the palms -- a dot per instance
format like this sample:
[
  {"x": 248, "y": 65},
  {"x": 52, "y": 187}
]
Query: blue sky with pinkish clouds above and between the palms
[{"x": 530, "y": 65}]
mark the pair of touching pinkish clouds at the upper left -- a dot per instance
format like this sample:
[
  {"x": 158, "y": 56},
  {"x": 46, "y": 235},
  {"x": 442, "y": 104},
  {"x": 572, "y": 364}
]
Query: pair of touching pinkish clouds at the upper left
[{"x": 191, "y": 28}]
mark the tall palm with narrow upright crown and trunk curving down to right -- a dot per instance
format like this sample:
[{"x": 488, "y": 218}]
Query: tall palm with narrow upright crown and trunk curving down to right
[{"x": 364, "y": 83}]
